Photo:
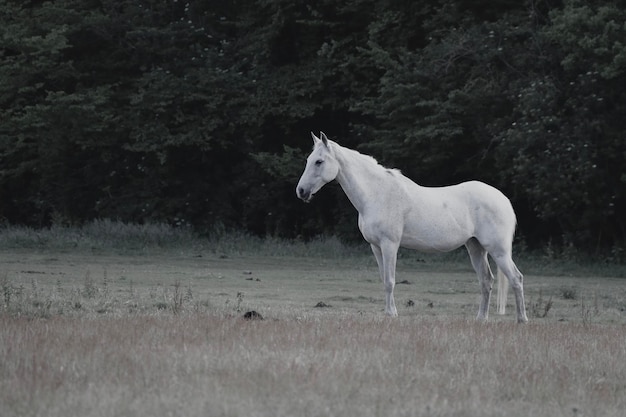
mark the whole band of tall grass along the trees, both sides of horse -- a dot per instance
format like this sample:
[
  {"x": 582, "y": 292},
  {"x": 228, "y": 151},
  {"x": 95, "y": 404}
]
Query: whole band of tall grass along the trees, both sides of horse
[{"x": 108, "y": 236}]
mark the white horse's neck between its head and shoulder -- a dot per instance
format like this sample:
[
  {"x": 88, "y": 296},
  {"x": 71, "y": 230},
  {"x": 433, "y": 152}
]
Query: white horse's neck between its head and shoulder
[{"x": 356, "y": 175}]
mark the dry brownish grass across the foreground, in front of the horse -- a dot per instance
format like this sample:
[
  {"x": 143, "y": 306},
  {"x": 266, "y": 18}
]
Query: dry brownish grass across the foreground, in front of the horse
[{"x": 198, "y": 364}]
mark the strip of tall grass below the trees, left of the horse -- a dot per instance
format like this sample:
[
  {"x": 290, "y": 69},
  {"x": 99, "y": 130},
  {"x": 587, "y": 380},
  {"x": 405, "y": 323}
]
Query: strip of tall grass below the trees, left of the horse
[{"x": 115, "y": 236}]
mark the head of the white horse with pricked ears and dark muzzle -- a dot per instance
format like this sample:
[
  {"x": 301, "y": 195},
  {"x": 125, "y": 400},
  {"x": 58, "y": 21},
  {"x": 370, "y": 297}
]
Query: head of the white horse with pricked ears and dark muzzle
[{"x": 321, "y": 168}]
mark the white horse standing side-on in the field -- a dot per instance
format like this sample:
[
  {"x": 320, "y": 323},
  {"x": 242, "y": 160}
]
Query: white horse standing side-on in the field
[{"x": 394, "y": 211}]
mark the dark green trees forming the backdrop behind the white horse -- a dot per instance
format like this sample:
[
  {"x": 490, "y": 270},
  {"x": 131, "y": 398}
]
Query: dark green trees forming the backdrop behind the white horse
[{"x": 197, "y": 113}]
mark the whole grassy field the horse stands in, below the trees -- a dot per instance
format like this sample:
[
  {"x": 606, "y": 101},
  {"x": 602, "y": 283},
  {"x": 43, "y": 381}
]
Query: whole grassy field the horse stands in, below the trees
[{"x": 147, "y": 328}]
